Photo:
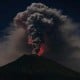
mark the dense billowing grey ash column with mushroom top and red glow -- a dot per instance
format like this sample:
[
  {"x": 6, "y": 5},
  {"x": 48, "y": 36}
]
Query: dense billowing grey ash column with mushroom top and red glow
[{"x": 38, "y": 20}]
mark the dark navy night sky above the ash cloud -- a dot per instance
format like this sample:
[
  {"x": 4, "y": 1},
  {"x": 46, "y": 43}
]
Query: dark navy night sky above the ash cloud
[{"x": 9, "y": 8}]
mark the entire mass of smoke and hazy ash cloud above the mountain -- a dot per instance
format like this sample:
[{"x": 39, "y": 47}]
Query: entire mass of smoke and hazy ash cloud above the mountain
[{"x": 40, "y": 25}]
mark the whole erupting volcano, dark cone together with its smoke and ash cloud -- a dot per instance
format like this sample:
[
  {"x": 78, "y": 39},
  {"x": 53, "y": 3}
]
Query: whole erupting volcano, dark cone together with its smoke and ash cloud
[{"x": 41, "y": 33}]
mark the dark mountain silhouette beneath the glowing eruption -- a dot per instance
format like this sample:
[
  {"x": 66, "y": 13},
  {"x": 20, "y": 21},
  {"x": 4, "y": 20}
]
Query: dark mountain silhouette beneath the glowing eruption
[{"x": 35, "y": 67}]
